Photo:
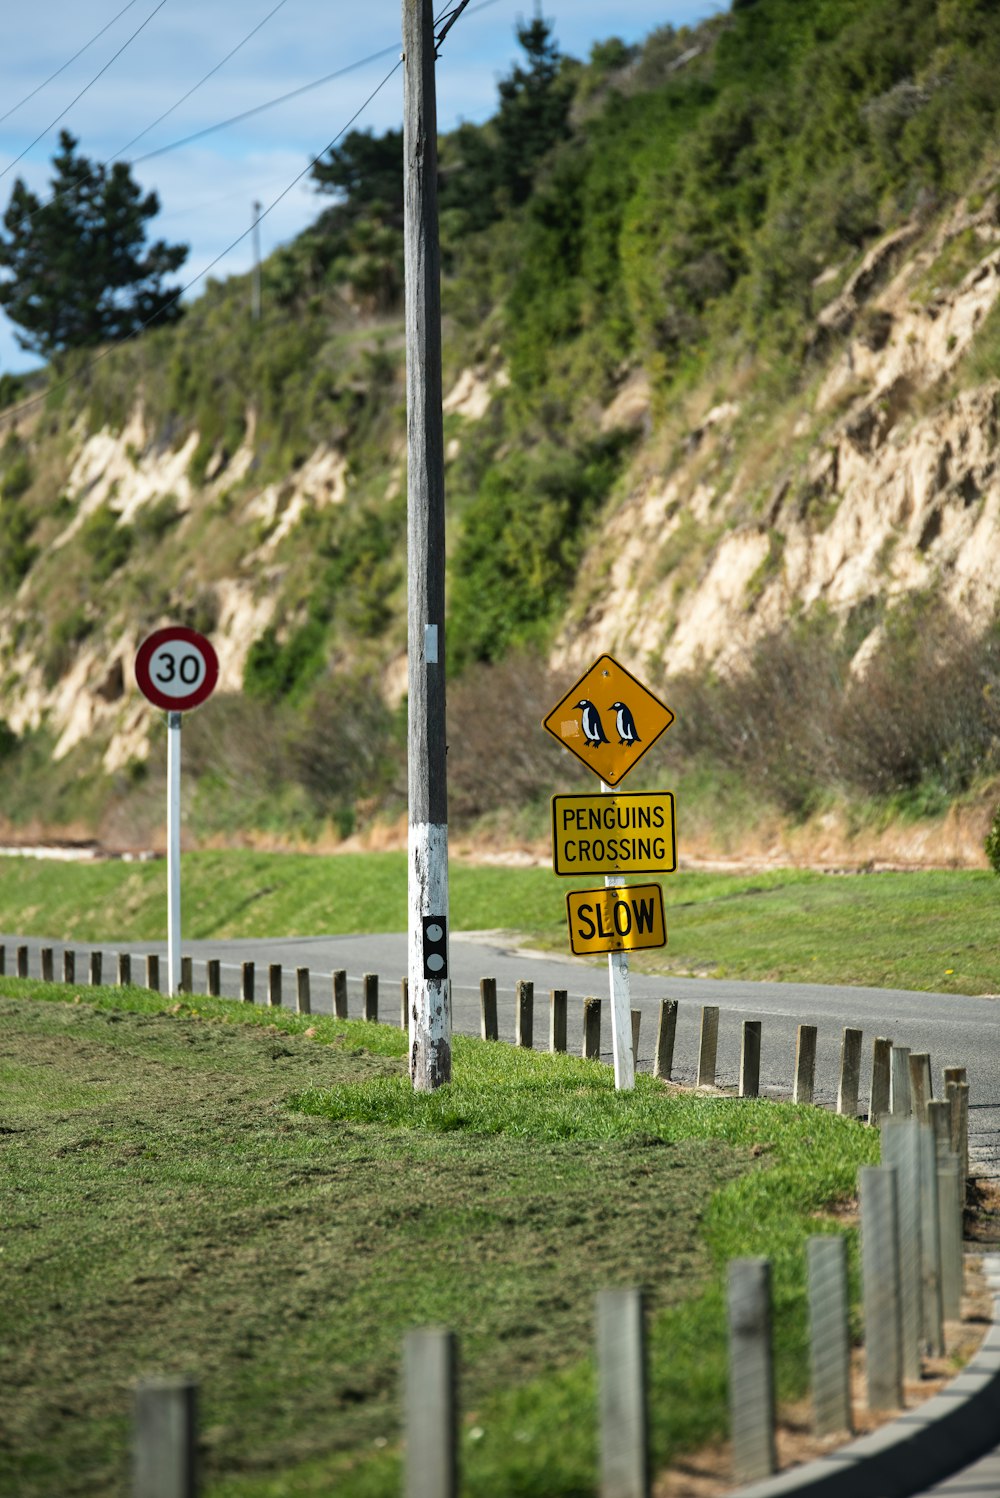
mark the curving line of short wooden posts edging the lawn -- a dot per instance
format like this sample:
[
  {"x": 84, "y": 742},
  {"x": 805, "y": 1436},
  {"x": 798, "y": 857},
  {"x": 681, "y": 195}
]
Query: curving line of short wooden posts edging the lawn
[{"x": 911, "y": 1237}]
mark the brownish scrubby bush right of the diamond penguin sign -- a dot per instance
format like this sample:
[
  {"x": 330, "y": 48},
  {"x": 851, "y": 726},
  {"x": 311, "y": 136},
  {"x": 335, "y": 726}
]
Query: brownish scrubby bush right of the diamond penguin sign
[{"x": 918, "y": 723}]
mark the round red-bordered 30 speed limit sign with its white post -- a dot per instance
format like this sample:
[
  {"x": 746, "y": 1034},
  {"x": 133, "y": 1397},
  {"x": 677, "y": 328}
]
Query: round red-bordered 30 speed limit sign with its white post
[{"x": 176, "y": 669}]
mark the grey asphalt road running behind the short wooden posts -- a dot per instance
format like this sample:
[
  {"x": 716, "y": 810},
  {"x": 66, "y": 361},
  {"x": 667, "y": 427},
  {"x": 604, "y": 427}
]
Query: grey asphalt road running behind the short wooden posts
[{"x": 954, "y": 1030}]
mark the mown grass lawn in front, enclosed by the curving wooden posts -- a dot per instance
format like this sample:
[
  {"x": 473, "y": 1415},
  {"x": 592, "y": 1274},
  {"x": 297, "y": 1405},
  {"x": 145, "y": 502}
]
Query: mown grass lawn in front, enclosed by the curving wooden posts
[{"x": 260, "y": 1201}]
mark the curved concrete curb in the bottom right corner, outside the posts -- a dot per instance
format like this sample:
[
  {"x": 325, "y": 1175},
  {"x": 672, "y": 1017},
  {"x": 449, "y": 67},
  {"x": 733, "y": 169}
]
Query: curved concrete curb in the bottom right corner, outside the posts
[{"x": 920, "y": 1449}]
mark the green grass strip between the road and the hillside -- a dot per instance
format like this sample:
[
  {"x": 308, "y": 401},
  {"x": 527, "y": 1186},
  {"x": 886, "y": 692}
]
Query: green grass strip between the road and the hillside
[{"x": 936, "y": 931}]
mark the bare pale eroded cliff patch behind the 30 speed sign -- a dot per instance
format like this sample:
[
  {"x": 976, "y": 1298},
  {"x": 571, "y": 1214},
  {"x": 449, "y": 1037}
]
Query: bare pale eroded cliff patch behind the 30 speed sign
[{"x": 129, "y": 474}]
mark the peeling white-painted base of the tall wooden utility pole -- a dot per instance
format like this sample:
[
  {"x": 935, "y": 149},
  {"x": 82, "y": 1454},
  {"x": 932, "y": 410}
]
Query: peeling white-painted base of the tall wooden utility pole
[{"x": 430, "y": 998}]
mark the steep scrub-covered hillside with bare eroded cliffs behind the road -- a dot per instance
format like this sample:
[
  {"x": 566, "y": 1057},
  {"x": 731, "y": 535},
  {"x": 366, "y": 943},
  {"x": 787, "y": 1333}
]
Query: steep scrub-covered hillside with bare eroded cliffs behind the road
[{"x": 722, "y": 387}]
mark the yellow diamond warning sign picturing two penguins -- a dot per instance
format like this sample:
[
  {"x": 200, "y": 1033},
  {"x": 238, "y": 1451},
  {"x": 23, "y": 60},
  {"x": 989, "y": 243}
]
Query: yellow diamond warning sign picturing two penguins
[{"x": 609, "y": 720}]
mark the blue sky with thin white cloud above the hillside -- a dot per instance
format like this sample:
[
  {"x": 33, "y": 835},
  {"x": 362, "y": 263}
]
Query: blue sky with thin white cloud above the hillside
[{"x": 207, "y": 189}]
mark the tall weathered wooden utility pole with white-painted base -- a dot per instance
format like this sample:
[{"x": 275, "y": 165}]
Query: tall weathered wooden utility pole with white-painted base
[{"x": 429, "y": 982}]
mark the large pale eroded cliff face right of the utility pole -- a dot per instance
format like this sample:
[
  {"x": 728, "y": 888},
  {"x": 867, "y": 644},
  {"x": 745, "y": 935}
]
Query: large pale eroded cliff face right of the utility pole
[{"x": 882, "y": 482}]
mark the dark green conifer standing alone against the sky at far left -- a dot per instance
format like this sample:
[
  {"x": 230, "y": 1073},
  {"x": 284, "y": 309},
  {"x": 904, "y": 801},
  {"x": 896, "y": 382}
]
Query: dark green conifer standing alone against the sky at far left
[{"x": 79, "y": 270}]
